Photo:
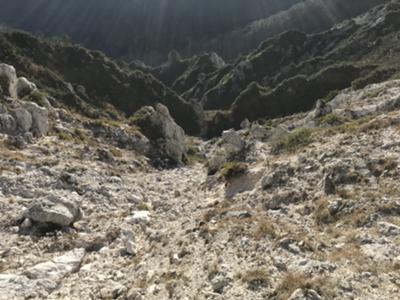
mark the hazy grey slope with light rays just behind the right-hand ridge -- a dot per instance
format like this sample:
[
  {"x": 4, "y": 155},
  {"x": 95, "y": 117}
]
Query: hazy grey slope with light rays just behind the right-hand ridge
[{"x": 309, "y": 16}]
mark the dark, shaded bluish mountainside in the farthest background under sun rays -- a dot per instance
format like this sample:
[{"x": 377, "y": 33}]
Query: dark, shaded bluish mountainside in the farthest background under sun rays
[{"x": 142, "y": 29}]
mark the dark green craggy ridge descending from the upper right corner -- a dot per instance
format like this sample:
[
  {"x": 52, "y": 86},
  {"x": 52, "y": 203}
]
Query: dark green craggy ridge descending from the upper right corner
[{"x": 290, "y": 72}]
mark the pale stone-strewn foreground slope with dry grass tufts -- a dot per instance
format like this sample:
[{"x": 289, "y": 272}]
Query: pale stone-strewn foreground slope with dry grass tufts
[{"x": 306, "y": 208}]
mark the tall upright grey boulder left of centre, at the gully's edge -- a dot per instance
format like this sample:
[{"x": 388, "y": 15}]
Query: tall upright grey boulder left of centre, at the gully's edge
[{"x": 166, "y": 137}]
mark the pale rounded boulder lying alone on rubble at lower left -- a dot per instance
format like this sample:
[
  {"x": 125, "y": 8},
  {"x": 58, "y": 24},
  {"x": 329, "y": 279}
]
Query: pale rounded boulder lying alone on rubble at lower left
[{"x": 54, "y": 210}]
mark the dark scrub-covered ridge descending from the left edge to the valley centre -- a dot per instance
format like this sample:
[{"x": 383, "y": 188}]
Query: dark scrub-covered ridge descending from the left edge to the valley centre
[{"x": 89, "y": 81}]
